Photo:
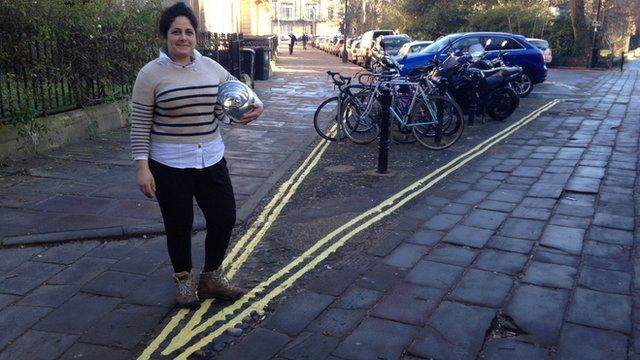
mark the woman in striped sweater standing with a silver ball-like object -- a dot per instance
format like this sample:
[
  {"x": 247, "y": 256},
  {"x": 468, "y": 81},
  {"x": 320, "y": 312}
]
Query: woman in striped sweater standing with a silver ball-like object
[{"x": 176, "y": 143}]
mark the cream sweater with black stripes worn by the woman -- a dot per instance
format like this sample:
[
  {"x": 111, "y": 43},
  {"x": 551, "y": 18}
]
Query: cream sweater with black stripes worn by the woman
[{"x": 172, "y": 103}]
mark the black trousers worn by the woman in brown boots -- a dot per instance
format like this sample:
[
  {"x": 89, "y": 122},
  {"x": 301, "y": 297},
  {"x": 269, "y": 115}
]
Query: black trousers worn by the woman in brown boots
[{"x": 212, "y": 189}]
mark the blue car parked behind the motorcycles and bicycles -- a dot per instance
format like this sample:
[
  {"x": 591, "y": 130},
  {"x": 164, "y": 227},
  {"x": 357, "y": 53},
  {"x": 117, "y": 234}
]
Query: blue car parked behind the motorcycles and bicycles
[{"x": 518, "y": 52}]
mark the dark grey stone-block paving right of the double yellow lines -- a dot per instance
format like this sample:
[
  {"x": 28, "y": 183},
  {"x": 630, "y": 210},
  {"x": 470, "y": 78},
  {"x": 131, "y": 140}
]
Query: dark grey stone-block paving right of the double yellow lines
[{"x": 529, "y": 252}]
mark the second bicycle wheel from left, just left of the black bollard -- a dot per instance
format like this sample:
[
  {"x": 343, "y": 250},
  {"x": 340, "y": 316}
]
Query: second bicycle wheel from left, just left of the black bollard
[{"x": 361, "y": 123}]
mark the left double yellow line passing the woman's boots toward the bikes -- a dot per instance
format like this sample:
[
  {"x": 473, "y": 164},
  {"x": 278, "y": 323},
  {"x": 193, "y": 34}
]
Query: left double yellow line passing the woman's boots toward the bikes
[{"x": 263, "y": 222}]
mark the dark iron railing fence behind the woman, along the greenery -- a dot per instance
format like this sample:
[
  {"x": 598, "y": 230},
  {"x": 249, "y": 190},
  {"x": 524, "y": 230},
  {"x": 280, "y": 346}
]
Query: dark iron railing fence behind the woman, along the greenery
[{"x": 41, "y": 77}]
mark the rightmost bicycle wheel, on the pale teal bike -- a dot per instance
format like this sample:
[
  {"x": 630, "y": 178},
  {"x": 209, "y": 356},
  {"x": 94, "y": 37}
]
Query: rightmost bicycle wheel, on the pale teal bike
[{"x": 437, "y": 123}]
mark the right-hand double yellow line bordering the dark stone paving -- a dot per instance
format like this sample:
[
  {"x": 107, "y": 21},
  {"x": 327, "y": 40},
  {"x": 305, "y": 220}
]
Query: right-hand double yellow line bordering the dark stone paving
[{"x": 379, "y": 212}]
